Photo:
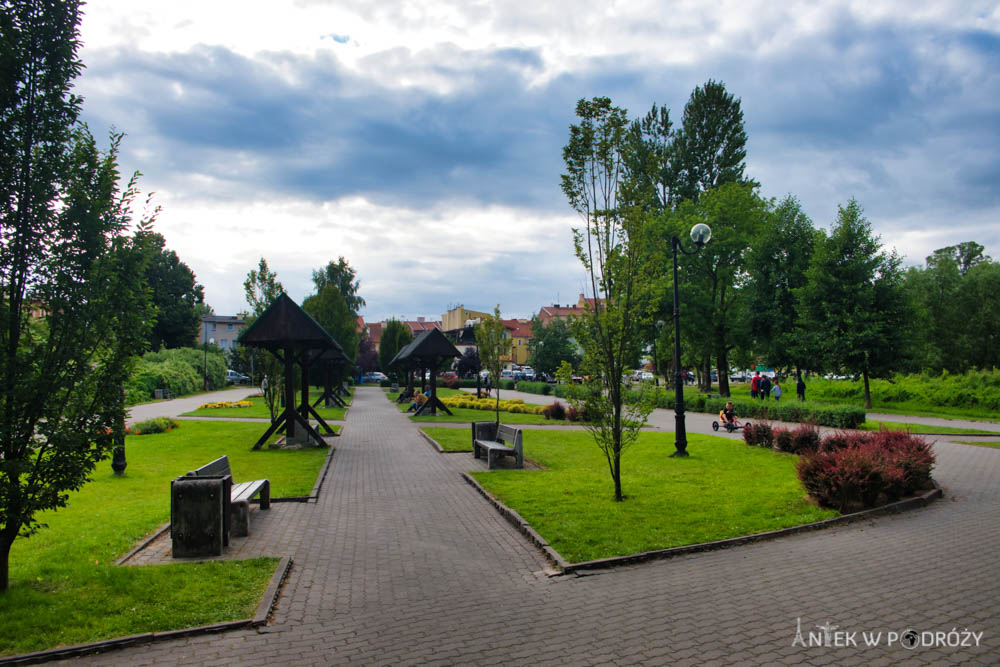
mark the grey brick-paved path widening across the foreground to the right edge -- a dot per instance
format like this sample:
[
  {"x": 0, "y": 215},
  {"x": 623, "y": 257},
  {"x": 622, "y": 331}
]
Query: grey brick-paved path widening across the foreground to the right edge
[{"x": 400, "y": 562}]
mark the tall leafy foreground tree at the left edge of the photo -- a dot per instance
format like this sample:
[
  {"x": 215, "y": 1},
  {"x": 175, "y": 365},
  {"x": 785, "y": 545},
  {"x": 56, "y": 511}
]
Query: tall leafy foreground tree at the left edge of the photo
[{"x": 75, "y": 308}]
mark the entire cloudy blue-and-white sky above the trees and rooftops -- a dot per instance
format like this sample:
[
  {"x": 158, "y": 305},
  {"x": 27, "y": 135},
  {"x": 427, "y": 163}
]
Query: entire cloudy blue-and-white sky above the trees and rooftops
[{"x": 421, "y": 139}]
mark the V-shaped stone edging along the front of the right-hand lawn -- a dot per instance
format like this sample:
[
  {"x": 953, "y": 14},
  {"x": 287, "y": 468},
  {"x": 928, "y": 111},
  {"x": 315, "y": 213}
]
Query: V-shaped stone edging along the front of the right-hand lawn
[{"x": 556, "y": 558}]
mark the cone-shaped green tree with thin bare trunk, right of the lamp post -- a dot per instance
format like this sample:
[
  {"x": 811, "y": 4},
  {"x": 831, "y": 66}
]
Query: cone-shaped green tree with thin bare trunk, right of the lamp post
[{"x": 853, "y": 307}]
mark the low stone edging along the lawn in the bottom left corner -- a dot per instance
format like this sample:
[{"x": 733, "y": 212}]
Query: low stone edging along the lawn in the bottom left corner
[{"x": 264, "y": 610}]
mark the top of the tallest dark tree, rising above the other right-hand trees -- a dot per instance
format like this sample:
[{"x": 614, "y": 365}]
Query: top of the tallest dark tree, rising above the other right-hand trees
[{"x": 710, "y": 147}]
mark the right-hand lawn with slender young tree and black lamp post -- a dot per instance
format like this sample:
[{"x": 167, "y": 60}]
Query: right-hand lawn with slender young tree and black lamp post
[{"x": 724, "y": 489}]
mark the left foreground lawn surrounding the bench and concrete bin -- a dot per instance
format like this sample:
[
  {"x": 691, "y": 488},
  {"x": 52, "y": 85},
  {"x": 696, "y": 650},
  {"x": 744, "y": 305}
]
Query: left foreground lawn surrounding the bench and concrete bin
[{"x": 65, "y": 589}]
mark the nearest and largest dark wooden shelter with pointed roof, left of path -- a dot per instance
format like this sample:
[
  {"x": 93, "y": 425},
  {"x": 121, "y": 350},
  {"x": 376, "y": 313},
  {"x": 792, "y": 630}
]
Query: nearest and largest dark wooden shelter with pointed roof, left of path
[{"x": 291, "y": 335}]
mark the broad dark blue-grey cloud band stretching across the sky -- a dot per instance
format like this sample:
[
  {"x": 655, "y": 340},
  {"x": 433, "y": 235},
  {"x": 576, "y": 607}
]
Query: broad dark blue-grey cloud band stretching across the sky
[{"x": 904, "y": 119}]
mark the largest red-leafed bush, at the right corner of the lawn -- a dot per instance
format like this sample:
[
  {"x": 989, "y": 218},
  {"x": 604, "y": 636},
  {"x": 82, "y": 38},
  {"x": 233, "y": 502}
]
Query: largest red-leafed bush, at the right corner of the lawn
[{"x": 855, "y": 470}]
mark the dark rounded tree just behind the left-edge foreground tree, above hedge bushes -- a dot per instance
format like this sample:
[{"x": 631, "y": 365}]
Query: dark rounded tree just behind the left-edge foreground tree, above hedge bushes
[{"x": 178, "y": 298}]
